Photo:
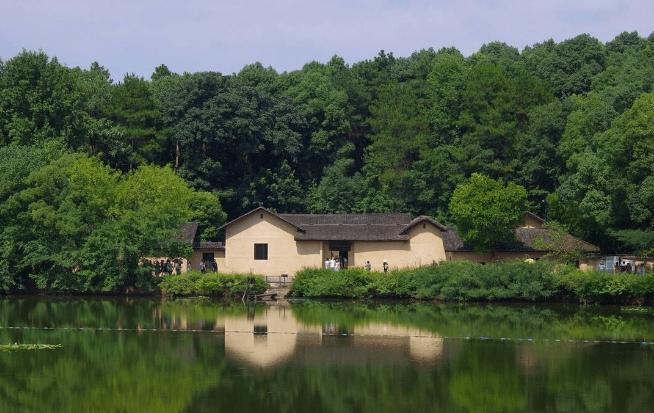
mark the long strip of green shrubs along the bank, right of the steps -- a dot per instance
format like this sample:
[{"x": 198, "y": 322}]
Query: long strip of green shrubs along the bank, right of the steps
[{"x": 466, "y": 281}]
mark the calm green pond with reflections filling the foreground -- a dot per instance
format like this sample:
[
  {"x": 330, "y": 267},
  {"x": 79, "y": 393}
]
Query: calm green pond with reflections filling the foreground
[{"x": 141, "y": 355}]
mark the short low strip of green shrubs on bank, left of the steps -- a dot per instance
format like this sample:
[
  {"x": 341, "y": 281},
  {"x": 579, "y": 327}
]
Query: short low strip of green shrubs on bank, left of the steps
[{"x": 210, "y": 284}]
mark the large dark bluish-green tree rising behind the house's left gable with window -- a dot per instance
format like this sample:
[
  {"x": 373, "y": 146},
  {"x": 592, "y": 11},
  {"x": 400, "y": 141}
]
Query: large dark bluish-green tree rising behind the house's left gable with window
[{"x": 231, "y": 131}]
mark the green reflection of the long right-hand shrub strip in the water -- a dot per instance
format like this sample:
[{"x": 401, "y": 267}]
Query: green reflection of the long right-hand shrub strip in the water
[{"x": 491, "y": 320}]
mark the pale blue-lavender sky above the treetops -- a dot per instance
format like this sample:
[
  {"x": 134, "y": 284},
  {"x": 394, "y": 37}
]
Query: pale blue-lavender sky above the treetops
[{"x": 135, "y": 36}]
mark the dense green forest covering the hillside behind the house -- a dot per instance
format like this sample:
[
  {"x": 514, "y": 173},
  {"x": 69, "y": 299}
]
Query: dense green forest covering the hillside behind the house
[{"x": 86, "y": 158}]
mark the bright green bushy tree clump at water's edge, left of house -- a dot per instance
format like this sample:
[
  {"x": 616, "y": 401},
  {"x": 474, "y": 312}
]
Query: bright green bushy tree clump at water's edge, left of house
[{"x": 78, "y": 225}]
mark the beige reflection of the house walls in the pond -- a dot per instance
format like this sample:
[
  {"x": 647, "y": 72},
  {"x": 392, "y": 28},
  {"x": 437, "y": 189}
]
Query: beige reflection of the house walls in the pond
[{"x": 275, "y": 337}]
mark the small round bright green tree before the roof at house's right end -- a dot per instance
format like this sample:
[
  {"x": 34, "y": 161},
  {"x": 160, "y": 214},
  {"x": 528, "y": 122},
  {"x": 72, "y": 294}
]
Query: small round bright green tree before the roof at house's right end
[{"x": 486, "y": 211}]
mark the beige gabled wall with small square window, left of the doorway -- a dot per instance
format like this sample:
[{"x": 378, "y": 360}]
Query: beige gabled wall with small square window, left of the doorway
[{"x": 285, "y": 255}]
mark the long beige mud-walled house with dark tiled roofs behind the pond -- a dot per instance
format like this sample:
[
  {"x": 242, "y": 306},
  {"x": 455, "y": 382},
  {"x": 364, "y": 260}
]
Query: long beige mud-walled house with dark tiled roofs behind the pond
[{"x": 268, "y": 243}]
